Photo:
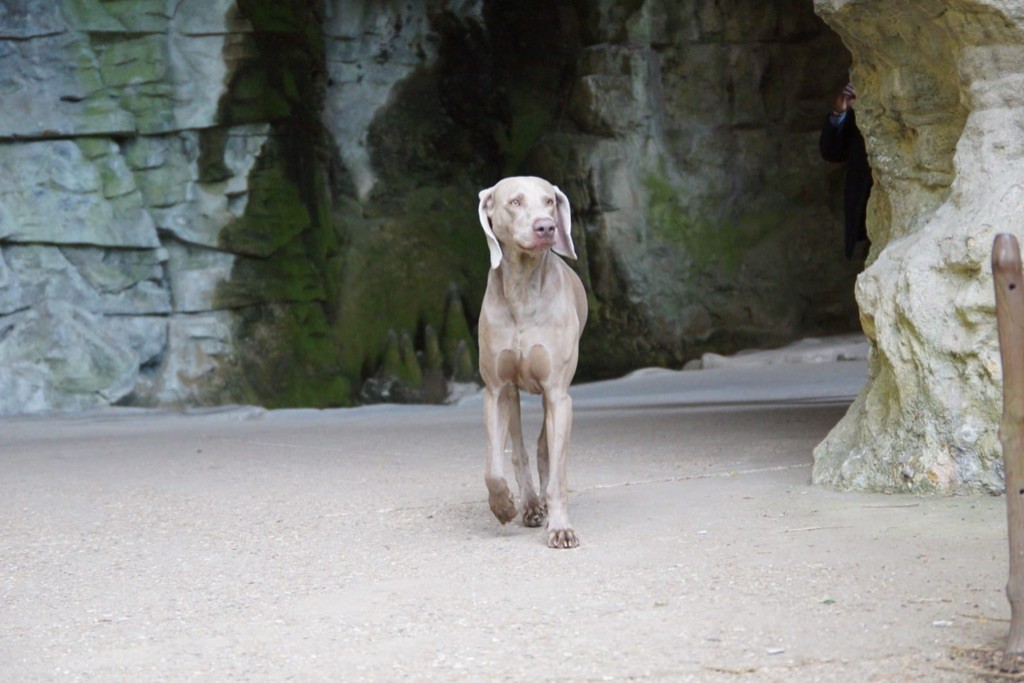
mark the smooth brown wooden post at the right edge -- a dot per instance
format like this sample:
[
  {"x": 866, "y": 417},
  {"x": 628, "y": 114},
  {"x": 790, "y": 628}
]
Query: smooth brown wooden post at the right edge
[{"x": 1010, "y": 318}]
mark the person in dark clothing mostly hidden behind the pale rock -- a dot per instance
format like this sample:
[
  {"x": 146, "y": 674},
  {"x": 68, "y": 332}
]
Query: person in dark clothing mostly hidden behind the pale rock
[{"x": 842, "y": 143}]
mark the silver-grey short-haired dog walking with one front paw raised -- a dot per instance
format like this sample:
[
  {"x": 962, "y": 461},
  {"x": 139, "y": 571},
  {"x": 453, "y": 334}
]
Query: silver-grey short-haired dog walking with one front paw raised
[{"x": 534, "y": 313}]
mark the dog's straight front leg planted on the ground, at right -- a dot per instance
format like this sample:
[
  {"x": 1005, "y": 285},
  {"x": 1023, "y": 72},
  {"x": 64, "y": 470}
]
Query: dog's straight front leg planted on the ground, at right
[{"x": 558, "y": 425}]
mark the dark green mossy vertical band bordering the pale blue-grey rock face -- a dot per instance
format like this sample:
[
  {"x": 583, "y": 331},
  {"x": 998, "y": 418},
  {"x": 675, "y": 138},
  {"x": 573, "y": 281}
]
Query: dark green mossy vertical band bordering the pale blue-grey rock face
[{"x": 291, "y": 347}]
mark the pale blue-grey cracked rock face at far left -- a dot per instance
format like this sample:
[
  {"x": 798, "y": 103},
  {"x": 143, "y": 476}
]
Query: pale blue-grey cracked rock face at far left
[{"x": 101, "y": 196}]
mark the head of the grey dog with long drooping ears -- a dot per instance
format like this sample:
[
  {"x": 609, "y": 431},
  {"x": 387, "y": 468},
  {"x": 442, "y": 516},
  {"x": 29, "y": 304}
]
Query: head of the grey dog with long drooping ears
[{"x": 527, "y": 215}]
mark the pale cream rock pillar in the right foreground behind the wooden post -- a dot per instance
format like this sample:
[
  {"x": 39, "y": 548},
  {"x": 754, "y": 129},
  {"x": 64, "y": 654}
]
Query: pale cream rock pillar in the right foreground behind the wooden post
[{"x": 941, "y": 86}]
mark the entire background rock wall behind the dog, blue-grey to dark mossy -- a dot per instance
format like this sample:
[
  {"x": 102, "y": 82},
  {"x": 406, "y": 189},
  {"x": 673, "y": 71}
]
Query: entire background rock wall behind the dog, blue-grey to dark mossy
[{"x": 274, "y": 201}]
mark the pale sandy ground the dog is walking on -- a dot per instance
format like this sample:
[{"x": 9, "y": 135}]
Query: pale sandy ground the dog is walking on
[{"x": 357, "y": 545}]
